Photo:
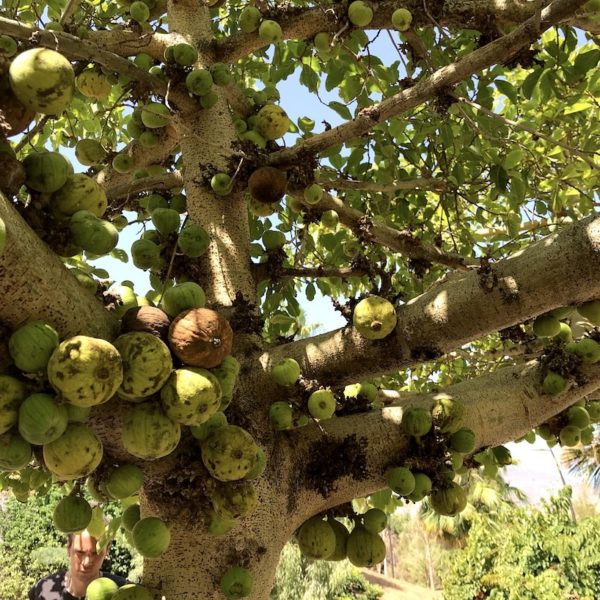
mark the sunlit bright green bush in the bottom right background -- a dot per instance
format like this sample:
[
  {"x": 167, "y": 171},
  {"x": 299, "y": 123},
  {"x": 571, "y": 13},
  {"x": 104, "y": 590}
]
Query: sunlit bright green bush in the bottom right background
[{"x": 527, "y": 554}]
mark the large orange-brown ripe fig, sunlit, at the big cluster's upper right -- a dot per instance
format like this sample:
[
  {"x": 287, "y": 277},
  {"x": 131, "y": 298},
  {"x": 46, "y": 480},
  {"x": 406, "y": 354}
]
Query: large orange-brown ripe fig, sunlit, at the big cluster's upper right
[{"x": 200, "y": 337}]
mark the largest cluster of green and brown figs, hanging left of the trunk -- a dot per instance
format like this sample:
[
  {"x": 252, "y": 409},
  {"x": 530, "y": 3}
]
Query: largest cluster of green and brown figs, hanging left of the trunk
[{"x": 170, "y": 373}]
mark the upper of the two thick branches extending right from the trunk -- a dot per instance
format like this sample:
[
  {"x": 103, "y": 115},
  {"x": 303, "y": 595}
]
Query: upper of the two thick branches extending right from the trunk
[{"x": 559, "y": 270}]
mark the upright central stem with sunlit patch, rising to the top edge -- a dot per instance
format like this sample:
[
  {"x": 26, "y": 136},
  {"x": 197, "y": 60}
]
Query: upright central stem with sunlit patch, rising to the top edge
[{"x": 226, "y": 265}]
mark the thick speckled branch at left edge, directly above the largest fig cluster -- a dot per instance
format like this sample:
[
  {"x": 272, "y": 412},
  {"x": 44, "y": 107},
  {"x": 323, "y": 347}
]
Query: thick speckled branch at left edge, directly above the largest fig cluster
[{"x": 34, "y": 284}]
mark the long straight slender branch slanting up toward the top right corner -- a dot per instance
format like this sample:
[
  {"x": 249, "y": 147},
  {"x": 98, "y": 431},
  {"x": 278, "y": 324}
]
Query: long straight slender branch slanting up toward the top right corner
[{"x": 493, "y": 53}]
